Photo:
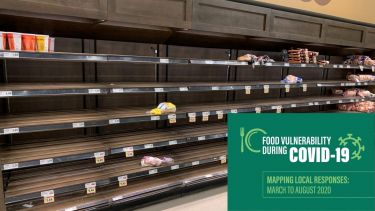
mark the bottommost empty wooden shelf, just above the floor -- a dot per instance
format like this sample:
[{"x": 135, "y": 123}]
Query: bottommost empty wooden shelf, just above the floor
[{"x": 179, "y": 180}]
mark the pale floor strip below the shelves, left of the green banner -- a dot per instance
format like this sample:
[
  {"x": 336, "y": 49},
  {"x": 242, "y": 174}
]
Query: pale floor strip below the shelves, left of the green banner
[{"x": 212, "y": 199}]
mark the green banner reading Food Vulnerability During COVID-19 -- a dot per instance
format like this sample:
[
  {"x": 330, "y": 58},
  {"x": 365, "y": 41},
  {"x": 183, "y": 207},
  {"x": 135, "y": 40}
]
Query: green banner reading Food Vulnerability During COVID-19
[{"x": 301, "y": 162}]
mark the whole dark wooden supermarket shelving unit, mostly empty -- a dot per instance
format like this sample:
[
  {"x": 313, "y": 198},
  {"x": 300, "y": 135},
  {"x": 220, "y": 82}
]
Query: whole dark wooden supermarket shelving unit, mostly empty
[{"x": 74, "y": 124}]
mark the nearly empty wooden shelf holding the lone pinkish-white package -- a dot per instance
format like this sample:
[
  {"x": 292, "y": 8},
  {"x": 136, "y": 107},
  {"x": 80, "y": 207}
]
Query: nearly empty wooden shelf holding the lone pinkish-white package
[{"x": 27, "y": 185}]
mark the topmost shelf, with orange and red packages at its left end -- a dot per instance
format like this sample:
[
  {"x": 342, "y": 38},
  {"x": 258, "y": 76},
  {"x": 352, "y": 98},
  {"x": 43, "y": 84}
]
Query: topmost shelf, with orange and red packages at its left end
[{"x": 84, "y": 57}]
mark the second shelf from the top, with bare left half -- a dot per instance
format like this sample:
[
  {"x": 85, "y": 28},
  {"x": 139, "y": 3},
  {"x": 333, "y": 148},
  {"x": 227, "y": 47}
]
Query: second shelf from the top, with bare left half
[{"x": 30, "y": 90}]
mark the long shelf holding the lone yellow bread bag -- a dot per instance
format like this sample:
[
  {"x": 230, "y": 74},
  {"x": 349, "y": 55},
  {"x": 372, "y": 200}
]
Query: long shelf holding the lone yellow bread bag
[{"x": 48, "y": 121}]
